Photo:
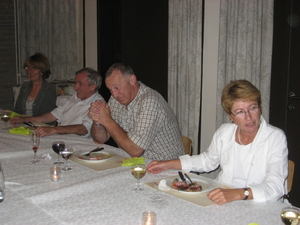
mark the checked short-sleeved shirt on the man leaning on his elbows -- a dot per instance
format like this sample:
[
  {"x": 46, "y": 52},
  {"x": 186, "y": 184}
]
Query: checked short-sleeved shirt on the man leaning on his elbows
[{"x": 150, "y": 123}]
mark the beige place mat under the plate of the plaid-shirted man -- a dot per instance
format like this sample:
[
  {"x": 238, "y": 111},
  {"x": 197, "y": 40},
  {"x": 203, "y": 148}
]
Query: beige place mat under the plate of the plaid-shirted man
[{"x": 113, "y": 162}]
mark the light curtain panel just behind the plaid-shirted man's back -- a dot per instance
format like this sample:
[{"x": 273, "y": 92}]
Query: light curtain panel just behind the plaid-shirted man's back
[{"x": 184, "y": 65}]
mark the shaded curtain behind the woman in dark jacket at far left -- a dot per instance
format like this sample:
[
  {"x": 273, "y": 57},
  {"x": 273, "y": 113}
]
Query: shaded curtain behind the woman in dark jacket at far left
[{"x": 54, "y": 28}]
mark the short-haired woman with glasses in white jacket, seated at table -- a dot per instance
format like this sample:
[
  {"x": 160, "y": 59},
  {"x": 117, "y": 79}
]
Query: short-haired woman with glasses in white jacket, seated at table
[{"x": 252, "y": 154}]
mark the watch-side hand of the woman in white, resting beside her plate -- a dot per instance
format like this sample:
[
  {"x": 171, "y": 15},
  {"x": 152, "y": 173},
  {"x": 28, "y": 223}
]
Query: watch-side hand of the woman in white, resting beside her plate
[{"x": 221, "y": 196}]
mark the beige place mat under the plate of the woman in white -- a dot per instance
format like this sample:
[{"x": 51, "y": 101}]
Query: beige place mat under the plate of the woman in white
[{"x": 200, "y": 199}]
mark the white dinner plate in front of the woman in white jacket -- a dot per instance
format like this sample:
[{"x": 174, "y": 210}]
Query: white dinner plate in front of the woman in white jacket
[{"x": 206, "y": 184}]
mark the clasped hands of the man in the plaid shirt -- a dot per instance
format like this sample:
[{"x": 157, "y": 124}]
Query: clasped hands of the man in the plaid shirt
[{"x": 99, "y": 112}]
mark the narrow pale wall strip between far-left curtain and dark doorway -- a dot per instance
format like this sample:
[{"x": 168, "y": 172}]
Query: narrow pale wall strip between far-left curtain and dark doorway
[{"x": 91, "y": 57}]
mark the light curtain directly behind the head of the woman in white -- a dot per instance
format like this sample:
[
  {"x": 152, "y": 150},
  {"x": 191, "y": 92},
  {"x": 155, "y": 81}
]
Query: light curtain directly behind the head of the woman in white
[{"x": 245, "y": 48}]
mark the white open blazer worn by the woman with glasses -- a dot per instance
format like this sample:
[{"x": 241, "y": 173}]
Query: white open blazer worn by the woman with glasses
[{"x": 268, "y": 164}]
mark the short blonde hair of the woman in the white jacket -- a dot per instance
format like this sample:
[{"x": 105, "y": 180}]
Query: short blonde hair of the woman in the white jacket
[{"x": 239, "y": 90}]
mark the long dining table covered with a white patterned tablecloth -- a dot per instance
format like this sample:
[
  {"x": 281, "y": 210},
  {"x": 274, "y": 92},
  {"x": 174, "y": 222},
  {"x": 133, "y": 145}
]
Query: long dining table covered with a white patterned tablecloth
[{"x": 103, "y": 194}]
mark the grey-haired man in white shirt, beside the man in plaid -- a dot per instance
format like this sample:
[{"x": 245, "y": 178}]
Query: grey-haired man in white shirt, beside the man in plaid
[{"x": 73, "y": 115}]
